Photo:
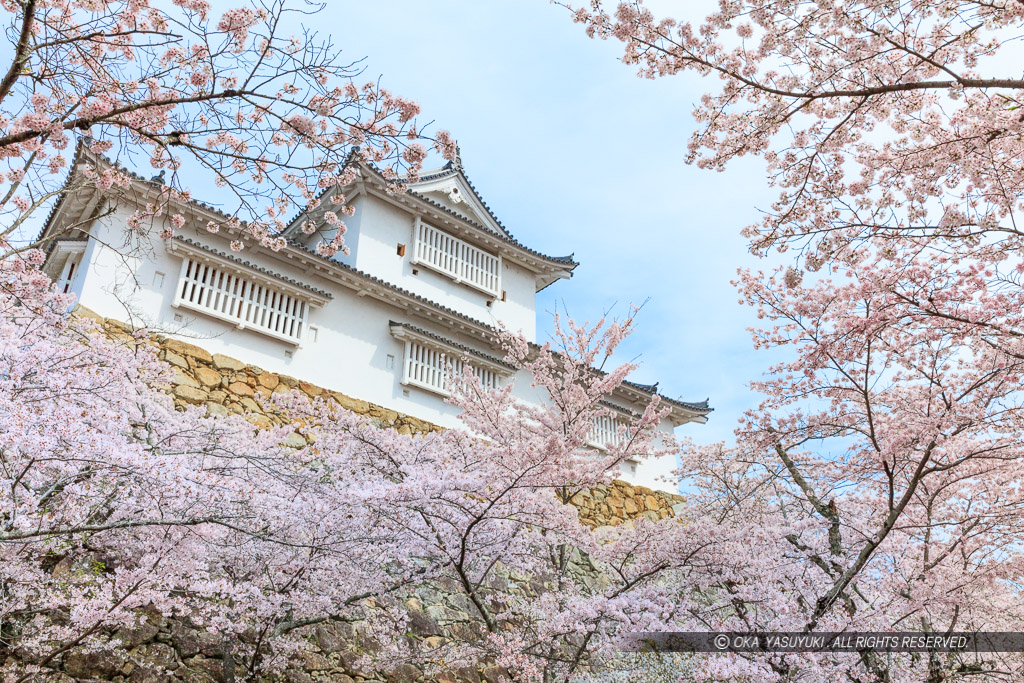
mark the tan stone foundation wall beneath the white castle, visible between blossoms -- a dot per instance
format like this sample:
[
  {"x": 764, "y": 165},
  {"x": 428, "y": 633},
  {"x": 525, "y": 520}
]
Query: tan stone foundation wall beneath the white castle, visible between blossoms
[{"x": 162, "y": 650}]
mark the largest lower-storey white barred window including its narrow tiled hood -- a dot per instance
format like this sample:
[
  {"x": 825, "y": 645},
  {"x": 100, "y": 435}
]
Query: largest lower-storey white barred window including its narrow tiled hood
[{"x": 249, "y": 301}]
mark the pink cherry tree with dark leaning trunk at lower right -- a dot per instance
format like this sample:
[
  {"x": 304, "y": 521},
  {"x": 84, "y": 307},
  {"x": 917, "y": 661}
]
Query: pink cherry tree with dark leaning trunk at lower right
[{"x": 884, "y": 468}]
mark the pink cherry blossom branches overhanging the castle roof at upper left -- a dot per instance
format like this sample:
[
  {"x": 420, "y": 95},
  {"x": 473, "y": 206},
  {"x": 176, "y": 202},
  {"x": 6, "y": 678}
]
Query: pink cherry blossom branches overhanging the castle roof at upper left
[{"x": 232, "y": 99}]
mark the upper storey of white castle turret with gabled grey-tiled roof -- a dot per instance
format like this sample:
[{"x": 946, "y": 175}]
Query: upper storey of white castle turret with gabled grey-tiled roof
[{"x": 440, "y": 240}]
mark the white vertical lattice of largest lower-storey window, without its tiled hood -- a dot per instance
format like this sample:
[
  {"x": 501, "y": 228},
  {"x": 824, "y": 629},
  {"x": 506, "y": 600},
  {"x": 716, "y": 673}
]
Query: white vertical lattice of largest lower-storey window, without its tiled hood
[{"x": 216, "y": 291}]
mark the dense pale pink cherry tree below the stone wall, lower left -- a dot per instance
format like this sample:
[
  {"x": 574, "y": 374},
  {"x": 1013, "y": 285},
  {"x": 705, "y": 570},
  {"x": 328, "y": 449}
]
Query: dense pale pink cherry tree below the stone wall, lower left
[{"x": 115, "y": 503}]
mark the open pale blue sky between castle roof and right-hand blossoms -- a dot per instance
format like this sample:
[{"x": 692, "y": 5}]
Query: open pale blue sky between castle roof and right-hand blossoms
[{"x": 576, "y": 154}]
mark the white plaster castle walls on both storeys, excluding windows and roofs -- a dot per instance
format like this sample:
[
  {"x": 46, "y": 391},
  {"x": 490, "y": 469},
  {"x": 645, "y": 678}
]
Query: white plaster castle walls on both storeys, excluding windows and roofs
[{"x": 350, "y": 348}]
